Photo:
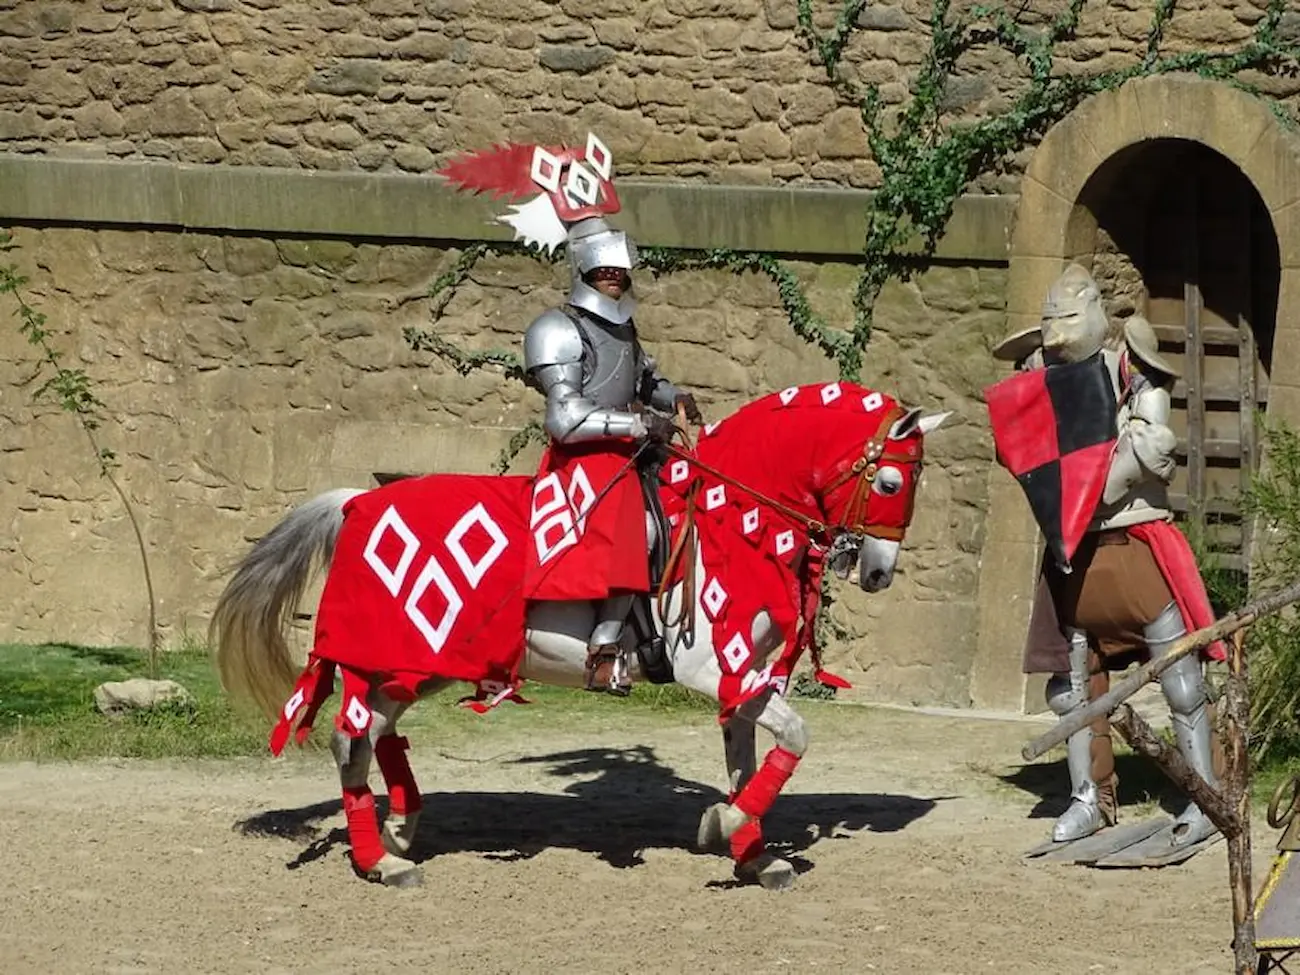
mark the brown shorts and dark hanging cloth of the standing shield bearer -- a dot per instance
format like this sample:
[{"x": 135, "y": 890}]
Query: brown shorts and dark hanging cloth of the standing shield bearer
[{"x": 1115, "y": 591}]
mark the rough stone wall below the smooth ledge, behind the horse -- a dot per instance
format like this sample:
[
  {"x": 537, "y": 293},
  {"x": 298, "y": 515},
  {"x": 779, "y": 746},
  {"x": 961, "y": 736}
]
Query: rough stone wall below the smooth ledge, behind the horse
[{"x": 245, "y": 374}]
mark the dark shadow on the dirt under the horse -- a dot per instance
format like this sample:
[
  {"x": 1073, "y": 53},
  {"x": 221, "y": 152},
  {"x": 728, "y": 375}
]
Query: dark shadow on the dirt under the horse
[{"x": 627, "y": 803}]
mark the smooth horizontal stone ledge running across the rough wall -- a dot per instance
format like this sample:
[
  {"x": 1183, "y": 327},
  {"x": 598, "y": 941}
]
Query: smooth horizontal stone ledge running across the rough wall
[{"x": 274, "y": 202}]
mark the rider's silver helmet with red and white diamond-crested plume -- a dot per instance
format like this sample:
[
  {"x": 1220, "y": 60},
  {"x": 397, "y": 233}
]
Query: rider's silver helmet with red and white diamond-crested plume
[{"x": 573, "y": 193}]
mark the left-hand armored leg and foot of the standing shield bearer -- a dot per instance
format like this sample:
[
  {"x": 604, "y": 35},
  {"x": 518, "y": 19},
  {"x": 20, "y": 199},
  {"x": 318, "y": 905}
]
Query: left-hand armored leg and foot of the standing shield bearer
[{"x": 1087, "y": 752}]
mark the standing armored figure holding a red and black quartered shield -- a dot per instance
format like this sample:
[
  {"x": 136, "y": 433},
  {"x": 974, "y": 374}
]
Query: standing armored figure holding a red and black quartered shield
[{"x": 1119, "y": 580}]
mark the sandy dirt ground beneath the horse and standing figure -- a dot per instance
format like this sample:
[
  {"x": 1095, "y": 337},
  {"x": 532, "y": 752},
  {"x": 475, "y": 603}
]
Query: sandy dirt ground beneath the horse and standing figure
[{"x": 566, "y": 847}]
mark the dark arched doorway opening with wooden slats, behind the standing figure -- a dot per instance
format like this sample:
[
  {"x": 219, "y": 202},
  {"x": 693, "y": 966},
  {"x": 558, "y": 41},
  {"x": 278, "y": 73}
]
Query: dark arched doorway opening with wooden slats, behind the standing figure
[{"x": 1184, "y": 239}]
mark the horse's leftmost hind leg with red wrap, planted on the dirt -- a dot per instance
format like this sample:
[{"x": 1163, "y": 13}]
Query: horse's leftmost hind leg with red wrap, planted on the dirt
[{"x": 353, "y": 757}]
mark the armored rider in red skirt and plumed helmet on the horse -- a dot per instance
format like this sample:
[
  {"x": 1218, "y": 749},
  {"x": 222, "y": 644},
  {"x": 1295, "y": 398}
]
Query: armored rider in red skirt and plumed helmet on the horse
[{"x": 586, "y": 358}]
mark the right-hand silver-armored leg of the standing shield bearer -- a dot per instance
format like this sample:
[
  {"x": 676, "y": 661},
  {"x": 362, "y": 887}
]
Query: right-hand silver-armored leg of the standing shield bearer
[{"x": 1189, "y": 708}]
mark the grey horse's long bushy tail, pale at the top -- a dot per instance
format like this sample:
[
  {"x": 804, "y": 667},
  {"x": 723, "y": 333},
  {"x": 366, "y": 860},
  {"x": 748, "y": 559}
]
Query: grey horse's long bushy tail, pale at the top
[{"x": 248, "y": 629}]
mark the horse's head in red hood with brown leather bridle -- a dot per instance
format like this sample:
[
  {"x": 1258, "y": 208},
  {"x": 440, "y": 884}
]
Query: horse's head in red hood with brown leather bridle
[{"x": 872, "y": 492}]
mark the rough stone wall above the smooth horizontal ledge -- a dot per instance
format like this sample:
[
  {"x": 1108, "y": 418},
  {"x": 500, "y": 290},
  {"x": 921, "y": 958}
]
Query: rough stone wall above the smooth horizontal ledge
[{"x": 721, "y": 90}]
